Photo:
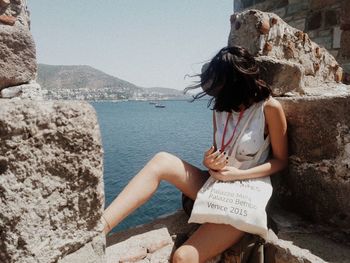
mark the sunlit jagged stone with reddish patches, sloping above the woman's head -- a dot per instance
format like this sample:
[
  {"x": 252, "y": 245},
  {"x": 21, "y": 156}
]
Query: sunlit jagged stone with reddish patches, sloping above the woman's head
[{"x": 265, "y": 34}]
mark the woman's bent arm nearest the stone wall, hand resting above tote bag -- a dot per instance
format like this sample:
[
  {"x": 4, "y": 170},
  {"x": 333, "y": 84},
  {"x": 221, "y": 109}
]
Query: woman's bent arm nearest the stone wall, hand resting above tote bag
[{"x": 277, "y": 127}]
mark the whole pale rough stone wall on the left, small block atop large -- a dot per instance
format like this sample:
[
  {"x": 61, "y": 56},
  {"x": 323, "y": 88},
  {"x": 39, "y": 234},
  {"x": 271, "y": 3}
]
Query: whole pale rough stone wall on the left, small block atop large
[{"x": 51, "y": 160}]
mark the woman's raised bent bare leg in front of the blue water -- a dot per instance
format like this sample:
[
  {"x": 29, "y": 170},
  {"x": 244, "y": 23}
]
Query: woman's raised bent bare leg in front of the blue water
[{"x": 163, "y": 166}]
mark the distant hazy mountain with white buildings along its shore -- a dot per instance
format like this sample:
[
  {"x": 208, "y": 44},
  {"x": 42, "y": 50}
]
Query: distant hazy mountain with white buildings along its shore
[{"x": 85, "y": 82}]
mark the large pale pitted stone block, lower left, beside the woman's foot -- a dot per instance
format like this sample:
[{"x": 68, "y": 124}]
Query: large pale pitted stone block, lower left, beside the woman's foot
[{"x": 51, "y": 180}]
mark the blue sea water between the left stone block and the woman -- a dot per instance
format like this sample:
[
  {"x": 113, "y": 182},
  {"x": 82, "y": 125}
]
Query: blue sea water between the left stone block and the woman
[{"x": 133, "y": 131}]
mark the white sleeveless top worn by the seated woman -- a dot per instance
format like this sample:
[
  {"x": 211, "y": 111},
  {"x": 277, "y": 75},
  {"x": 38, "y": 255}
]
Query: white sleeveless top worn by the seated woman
[{"x": 248, "y": 146}]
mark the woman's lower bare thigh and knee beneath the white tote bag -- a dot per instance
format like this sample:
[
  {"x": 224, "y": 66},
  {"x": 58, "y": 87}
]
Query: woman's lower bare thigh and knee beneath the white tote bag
[{"x": 208, "y": 241}]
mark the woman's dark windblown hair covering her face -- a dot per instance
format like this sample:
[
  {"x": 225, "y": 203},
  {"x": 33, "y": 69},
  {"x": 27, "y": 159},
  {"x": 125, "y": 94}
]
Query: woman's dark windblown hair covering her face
[{"x": 232, "y": 79}]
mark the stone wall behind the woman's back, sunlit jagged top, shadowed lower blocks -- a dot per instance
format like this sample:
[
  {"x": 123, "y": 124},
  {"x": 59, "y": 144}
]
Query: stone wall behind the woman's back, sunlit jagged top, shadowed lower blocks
[{"x": 304, "y": 79}]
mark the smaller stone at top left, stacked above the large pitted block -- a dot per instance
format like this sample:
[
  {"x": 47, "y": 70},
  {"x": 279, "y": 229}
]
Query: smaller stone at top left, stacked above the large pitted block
[{"x": 17, "y": 48}]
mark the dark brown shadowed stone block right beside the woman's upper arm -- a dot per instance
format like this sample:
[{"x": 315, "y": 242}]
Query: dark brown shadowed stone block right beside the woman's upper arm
[{"x": 313, "y": 122}]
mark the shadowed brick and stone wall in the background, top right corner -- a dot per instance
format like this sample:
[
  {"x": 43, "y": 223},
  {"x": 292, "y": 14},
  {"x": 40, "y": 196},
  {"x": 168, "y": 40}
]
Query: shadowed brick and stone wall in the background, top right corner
[{"x": 327, "y": 22}]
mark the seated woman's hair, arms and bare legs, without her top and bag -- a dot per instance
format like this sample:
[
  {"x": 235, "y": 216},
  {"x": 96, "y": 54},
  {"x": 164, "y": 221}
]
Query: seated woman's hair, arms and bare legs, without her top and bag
[{"x": 231, "y": 78}]
